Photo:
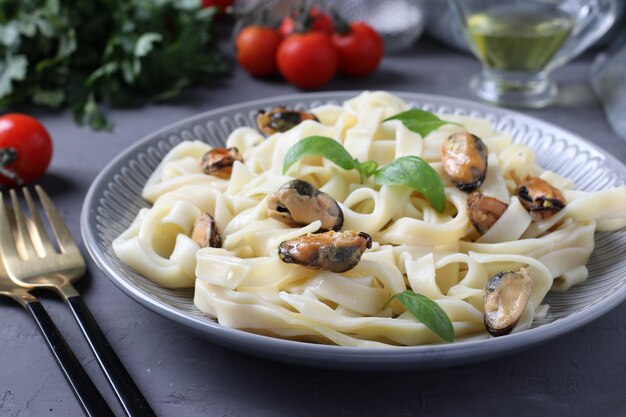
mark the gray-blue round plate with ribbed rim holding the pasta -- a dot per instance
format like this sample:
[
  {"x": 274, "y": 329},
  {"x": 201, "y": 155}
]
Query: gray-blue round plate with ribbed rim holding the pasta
[{"x": 114, "y": 199}]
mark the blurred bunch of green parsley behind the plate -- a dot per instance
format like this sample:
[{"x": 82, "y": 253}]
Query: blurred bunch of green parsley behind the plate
[{"x": 81, "y": 53}]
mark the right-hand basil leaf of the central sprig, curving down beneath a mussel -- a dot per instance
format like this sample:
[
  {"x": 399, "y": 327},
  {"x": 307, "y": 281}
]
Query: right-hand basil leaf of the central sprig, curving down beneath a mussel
[{"x": 417, "y": 174}]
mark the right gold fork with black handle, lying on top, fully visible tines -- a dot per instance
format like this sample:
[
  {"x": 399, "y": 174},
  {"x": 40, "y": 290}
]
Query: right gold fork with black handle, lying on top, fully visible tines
[{"x": 32, "y": 261}]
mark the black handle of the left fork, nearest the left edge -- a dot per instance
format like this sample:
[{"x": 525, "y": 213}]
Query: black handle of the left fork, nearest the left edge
[{"x": 86, "y": 392}]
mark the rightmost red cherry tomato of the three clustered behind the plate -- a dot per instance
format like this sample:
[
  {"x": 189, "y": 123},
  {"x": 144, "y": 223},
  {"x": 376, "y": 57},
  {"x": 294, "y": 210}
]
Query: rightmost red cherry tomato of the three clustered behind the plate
[{"x": 360, "y": 50}]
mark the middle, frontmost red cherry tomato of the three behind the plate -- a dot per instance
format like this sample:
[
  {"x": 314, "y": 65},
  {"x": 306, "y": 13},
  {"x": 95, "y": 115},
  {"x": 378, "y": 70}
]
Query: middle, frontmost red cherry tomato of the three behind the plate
[{"x": 307, "y": 60}]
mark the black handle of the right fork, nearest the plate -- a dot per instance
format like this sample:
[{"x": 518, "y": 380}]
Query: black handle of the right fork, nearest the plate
[{"x": 130, "y": 397}]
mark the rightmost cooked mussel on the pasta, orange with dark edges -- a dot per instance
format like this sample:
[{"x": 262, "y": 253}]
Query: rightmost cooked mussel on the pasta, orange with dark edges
[{"x": 540, "y": 198}]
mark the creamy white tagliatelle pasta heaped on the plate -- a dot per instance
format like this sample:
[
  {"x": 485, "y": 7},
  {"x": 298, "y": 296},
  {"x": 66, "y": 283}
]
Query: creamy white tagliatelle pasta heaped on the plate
[{"x": 245, "y": 285}]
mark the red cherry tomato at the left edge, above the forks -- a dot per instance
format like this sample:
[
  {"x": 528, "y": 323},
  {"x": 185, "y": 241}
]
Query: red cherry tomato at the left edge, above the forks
[{"x": 25, "y": 148}]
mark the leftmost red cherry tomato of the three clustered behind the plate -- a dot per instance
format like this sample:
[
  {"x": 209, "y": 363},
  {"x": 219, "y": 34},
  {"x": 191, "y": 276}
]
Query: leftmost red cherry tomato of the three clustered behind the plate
[{"x": 256, "y": 49}]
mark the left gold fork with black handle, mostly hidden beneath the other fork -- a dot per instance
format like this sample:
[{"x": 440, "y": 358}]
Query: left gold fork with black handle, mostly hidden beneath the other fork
[{"x": 86, "y": 392}]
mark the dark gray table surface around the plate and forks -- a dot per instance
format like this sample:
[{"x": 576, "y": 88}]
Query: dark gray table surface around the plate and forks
[{"x": 580, "y": 374}]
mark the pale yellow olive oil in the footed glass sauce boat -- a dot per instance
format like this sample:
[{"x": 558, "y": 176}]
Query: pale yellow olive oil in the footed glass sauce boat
[{"x": 518, "y": 38}]
